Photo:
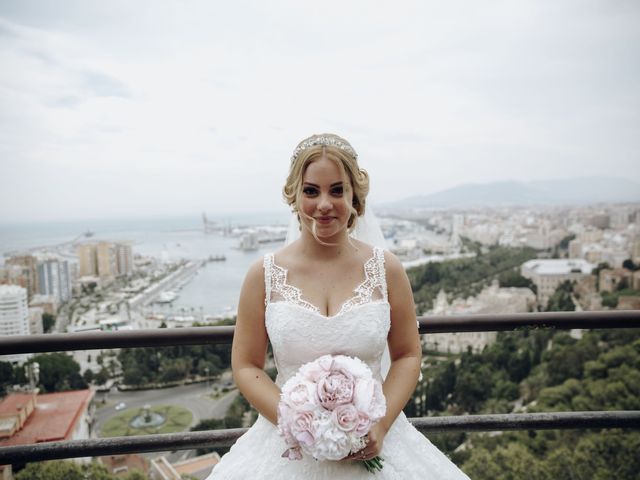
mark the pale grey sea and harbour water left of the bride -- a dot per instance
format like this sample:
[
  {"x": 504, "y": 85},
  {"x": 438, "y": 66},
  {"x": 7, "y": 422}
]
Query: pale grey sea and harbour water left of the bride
[{"x": 212, "y": 291}]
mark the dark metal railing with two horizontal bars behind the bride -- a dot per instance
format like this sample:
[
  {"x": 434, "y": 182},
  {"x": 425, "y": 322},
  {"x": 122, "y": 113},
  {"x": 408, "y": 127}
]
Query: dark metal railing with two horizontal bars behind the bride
[{"x": 222, "y": 438}]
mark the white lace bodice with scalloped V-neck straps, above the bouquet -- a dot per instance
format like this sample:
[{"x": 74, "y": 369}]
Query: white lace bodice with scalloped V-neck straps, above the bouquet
[{"x": 299, "y": 333}]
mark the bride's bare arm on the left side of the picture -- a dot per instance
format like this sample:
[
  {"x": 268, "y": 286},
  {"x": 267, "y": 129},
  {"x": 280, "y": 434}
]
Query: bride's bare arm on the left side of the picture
[{"x": 250, "y": 346}]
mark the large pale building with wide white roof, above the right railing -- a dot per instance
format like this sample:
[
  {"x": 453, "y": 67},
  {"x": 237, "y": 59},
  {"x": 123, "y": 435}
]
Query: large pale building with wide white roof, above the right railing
[{"x": 547, "y": 274}]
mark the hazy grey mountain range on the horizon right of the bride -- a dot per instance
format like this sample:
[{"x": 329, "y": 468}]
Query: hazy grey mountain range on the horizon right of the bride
[{"x": 568, "y": 191}]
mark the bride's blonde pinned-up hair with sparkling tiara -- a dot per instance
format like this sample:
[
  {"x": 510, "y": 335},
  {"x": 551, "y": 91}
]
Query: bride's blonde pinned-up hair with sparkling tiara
[{"x": 343, "y": 155}]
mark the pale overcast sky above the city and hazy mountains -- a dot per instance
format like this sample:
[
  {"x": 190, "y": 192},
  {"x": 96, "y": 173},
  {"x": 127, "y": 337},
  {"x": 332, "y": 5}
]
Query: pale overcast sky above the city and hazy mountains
[{"x": 130, "y": 108}]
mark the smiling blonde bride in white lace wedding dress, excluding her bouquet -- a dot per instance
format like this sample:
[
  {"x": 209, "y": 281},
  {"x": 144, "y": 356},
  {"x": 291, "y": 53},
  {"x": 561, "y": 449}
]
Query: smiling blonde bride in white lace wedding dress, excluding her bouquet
[{"x": 328, "y": 292}]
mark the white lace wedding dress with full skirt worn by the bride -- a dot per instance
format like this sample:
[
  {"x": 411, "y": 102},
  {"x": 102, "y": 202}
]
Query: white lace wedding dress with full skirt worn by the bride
[{"x": 299, "y": 333}]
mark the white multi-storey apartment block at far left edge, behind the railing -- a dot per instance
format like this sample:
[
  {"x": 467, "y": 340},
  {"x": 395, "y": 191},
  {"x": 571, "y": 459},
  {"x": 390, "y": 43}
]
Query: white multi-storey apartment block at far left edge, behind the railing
[{"x": 14, "y": 316}]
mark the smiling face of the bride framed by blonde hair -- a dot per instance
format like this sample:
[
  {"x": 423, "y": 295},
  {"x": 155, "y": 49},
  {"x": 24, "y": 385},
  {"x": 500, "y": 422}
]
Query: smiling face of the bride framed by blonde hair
[{"x": 325, "y": 198}]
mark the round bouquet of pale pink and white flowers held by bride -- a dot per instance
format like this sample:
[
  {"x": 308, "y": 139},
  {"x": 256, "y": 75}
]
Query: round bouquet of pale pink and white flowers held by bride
[{"x": 327, "y": 408}]
